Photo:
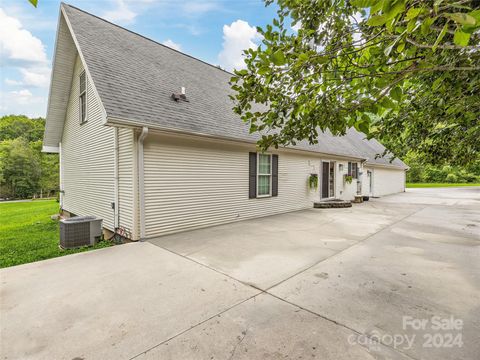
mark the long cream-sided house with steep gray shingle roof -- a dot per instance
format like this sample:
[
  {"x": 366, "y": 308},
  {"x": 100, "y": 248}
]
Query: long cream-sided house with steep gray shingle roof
[{"x": 148, "y": 140}]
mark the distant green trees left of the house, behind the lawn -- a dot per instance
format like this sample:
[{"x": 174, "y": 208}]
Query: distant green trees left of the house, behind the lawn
[{"x": 25, "y": 172}]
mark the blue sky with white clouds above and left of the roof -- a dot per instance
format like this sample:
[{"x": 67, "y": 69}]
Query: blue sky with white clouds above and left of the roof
[{"x": 215, "y": 31}]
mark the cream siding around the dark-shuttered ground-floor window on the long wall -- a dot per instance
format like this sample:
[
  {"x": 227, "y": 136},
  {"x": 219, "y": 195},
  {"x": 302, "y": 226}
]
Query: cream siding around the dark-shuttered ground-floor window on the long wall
[{"x": 192, "y": 184}]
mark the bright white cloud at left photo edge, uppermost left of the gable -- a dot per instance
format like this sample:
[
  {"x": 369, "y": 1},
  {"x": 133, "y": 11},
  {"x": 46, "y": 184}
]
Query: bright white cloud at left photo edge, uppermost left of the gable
[{"x": 18, "y": 43}]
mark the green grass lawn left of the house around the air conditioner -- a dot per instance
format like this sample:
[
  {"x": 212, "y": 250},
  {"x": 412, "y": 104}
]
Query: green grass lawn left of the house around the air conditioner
[{"x": 28, "y": 234}]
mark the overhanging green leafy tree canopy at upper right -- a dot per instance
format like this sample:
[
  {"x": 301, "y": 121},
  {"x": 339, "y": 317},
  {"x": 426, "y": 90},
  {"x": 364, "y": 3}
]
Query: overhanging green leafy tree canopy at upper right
[{"x": 404, "y": 71}]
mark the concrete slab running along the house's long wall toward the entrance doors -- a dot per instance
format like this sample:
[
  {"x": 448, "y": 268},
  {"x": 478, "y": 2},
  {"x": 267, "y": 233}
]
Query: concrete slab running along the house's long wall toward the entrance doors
[{"x": 263, "y": 252}]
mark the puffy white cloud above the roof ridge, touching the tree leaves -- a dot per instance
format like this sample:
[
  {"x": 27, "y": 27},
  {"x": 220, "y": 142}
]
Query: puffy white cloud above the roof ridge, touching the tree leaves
[{"x": 237, "y": 37}]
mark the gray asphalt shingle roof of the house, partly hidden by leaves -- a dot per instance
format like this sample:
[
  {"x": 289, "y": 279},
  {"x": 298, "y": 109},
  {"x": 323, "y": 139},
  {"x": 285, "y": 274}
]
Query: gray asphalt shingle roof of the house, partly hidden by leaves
[{"x": 136, "y": 76}]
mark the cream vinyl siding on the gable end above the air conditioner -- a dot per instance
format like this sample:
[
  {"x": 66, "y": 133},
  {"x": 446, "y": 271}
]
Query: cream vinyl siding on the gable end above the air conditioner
[{"x": 87, "y": 156}]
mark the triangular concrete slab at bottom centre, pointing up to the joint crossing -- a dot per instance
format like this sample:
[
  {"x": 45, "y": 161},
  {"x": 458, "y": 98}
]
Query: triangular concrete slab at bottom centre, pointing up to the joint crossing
[{"x": 268, "y": 328}]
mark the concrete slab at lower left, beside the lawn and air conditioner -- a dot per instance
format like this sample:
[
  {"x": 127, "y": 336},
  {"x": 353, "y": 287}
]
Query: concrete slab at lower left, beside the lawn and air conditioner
[{"x": 108, "y": 304}]
